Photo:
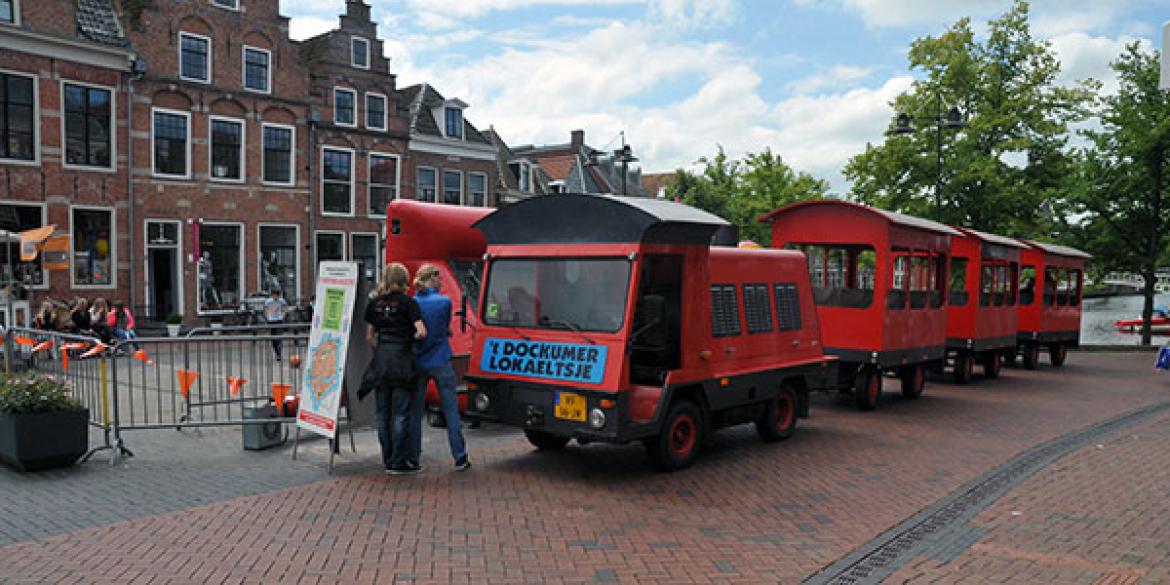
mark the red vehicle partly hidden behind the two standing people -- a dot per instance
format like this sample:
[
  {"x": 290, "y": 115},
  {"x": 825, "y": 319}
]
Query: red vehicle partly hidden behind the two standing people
[{"x": 419, "y": 233}]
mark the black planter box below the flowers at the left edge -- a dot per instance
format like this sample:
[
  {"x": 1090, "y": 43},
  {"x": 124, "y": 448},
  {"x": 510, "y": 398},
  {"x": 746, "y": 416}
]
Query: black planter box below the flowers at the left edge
[{"x": 44, "y": 441}]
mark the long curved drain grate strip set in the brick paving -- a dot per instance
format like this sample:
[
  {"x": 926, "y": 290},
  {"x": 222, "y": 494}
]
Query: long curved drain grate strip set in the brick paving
[{"x": 880, "y": 558}]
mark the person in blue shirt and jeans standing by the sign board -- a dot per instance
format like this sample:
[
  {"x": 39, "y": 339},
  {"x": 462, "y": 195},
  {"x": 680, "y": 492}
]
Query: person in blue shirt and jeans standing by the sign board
[{"x": 433, "y": 355}]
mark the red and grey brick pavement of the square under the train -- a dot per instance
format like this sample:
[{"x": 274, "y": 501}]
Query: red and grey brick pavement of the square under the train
[{"x": 748, "y": 512}]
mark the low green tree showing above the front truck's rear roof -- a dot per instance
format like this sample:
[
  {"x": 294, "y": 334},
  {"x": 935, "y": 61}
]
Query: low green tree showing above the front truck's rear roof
[{"x": 741, "y": 191}]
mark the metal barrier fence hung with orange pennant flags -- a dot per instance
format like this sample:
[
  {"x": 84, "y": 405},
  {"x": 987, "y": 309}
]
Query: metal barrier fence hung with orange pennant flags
[{"x": 208, "y": 378}]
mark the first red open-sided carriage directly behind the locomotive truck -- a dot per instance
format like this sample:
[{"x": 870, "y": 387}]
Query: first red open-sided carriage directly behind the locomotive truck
[{"x": 879, "y": 280}]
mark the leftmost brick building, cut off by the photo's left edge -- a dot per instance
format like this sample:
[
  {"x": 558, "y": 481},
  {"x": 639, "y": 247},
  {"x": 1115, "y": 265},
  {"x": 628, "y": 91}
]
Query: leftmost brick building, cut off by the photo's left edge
[{"x": 64, "y": 152}]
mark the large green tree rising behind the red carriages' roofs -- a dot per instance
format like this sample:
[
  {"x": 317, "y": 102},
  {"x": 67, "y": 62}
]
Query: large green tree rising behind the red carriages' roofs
[{"x": 1003, "y": 171}]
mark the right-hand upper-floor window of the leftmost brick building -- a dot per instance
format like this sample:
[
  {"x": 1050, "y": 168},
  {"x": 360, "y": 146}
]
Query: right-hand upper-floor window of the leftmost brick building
[{"x": 88, "y": 113}]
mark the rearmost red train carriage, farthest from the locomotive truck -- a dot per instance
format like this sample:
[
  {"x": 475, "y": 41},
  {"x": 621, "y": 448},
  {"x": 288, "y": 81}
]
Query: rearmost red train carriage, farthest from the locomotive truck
[{"x": 1051, "y": 318}]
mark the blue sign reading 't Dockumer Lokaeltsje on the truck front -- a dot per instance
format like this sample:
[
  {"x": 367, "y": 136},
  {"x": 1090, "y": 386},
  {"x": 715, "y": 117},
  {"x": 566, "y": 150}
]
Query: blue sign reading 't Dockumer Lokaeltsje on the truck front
[{"x": 542, "y": 360}]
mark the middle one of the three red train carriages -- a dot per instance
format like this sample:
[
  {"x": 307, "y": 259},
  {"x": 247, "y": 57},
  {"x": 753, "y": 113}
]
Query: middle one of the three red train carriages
[{"x": 982, "y": 318}]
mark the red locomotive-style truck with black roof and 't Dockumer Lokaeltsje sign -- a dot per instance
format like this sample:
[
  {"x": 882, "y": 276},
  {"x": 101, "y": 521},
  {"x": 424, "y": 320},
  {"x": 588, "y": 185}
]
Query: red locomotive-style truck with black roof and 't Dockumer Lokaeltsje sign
[{"x": 608, "y": 319}]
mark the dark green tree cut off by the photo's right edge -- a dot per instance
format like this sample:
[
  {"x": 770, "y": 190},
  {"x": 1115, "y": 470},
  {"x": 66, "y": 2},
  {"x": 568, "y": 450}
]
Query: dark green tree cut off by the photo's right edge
[{"x": 1120, "y": 192}]
